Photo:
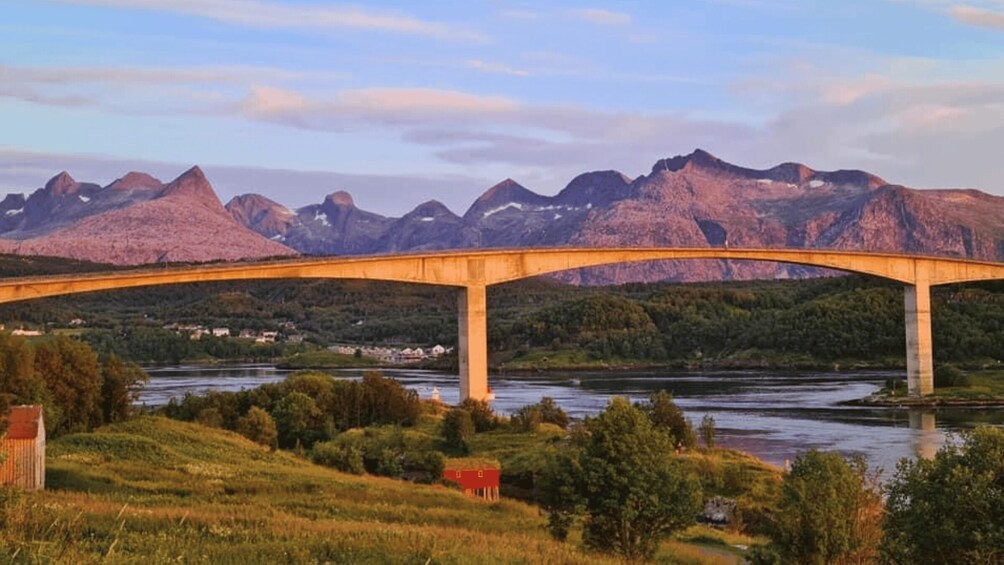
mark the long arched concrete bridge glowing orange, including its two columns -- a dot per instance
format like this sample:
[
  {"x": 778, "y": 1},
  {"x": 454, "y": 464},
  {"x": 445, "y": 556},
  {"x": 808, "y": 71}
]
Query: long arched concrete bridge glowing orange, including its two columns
[{"x": 472, "y": 271}]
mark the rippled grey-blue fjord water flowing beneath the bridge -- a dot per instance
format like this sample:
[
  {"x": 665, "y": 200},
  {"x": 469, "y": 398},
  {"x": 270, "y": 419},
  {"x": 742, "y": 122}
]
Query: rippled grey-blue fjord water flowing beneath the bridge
[{"x": 773, "y": 415}]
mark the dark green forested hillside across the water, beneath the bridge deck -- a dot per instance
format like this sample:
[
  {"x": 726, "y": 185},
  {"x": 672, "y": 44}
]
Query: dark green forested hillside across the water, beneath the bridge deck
[{"x": 539, "y": 324}]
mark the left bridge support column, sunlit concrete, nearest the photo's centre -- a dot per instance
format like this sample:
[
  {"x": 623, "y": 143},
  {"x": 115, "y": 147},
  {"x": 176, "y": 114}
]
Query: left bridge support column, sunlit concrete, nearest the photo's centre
[{"x": 472, "y": 311}]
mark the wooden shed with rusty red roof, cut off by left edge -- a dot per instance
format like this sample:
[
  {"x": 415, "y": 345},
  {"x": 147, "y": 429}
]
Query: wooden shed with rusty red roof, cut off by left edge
[{"x": 25, "y": 448}]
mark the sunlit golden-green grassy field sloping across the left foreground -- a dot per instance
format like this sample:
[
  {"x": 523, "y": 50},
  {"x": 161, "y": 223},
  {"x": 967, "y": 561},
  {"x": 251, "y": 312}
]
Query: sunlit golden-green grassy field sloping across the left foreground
[{"x": 155, "y": 490}]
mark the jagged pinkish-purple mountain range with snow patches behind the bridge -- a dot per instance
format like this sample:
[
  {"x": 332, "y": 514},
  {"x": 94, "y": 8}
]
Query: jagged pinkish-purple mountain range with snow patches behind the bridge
[{"x": 686, "y": 201}]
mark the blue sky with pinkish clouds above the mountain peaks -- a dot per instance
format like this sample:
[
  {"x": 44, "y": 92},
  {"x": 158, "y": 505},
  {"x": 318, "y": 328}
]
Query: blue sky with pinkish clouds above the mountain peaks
[{"x": 399, "y": 103}]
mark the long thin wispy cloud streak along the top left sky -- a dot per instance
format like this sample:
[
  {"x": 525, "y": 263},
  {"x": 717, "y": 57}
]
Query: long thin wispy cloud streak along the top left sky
[{"x": 276, "y": 16}]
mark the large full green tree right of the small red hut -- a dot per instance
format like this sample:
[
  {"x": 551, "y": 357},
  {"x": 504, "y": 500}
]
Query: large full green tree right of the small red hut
[{"x": 629, "y": 484}]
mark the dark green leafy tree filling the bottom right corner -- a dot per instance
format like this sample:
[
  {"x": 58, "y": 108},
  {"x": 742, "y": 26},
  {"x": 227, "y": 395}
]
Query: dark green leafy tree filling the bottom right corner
[{"x": 949, "y": 509}]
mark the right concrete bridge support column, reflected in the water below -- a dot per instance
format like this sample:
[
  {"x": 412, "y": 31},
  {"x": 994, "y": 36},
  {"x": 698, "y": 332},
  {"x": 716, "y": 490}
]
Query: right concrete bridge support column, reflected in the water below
[{"x": 920, "y": 353}]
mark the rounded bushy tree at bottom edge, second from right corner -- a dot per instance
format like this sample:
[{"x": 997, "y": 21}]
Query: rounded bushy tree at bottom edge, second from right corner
[{"x": 830, "y": 511}]
